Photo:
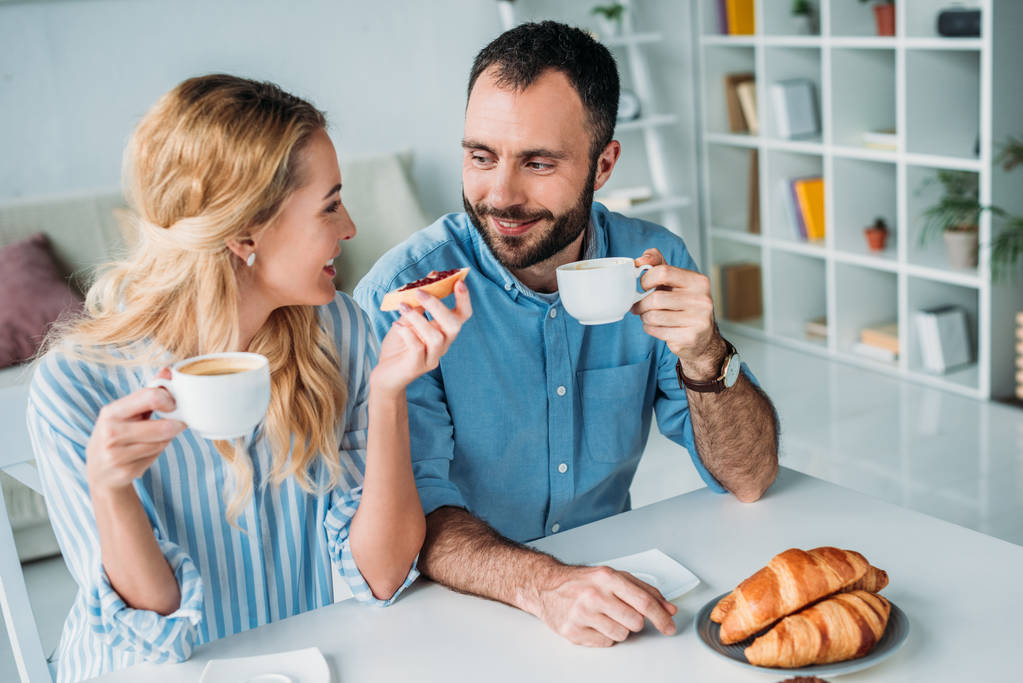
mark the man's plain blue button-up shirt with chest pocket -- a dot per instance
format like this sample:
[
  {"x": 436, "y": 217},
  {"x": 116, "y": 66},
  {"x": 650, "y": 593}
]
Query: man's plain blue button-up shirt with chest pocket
[{"x": 532, "y": 422}]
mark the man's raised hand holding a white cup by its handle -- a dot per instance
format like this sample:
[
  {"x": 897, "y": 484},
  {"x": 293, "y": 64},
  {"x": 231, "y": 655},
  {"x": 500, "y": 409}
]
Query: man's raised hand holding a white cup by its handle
[{"x": 681, "y": 313}]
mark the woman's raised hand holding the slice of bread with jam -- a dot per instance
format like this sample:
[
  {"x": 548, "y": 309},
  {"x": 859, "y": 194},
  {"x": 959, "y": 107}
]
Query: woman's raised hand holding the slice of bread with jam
[{"x": 415, "y": 345}]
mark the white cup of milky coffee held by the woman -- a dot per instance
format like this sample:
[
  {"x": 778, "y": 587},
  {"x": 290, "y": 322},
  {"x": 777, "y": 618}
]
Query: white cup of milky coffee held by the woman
[{"x": 220, "y": 396}]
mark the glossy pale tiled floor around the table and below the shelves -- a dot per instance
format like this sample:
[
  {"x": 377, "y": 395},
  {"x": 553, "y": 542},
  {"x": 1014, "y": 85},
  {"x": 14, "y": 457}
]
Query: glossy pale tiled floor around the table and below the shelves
[{"x": 941, "y": 453}]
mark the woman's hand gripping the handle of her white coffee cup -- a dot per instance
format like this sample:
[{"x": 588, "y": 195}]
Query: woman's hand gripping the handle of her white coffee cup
[{"x": 125, "y": 442}]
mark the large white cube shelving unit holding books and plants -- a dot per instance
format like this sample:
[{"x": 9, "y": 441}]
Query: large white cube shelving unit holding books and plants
[{"x": 945, "y": 97}]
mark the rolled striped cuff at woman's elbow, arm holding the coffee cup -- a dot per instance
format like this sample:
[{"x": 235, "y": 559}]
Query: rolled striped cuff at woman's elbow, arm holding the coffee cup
[{"x": 150, "y": 635}]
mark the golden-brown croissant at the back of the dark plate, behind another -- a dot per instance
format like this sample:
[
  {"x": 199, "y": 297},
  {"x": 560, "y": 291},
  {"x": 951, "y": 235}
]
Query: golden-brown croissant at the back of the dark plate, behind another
[{"x": 791, "y": 581}]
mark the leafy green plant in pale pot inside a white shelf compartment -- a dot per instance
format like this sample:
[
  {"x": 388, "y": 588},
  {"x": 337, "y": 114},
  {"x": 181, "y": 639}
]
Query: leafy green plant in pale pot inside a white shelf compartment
[{"x": 955, "y": 216}]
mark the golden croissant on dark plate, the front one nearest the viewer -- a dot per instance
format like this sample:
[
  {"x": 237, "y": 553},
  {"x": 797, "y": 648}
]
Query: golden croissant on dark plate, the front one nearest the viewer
[{"x": 843, "y": 627}]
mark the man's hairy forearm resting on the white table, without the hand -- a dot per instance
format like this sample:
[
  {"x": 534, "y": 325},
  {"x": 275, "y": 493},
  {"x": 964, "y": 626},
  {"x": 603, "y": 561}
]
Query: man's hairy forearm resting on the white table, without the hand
[{"x": 468, "y": 556}]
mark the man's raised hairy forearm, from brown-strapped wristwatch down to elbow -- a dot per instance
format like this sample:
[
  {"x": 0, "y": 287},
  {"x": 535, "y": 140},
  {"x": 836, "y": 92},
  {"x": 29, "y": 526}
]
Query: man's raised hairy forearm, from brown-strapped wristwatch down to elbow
[{"x": 737, "y": 438}]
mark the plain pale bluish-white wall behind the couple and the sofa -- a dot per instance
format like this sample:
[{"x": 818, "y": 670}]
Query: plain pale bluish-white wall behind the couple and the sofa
[{"x": 76, "y": 76}]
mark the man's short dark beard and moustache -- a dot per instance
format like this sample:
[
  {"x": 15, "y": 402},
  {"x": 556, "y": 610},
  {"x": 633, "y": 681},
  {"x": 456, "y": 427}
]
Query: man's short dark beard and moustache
[{"x": 514, "y": 252}]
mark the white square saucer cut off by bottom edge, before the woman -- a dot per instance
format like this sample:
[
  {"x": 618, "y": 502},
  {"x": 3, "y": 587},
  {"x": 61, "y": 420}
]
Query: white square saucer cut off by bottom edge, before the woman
[{"x": 305, "y": 666}]
